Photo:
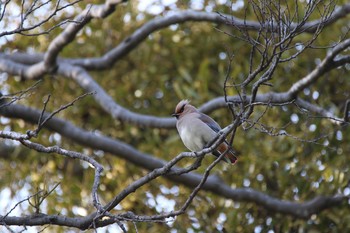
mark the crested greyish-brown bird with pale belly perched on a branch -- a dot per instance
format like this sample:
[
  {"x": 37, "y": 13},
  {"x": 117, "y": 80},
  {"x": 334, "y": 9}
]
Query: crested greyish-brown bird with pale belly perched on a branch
[{"x": 196, "y": 130}]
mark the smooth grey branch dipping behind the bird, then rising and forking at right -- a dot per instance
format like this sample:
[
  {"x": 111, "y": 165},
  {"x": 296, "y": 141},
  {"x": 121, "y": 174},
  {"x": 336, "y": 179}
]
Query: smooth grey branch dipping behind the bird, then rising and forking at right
[{"x": 119, "y": 112}]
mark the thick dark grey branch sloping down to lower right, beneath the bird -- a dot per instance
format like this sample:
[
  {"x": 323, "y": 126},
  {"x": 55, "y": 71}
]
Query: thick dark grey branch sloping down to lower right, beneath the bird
[{"x": 213, "y": 184}]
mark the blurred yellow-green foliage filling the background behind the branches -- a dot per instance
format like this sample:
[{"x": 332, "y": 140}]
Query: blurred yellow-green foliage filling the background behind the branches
[{"x": 188, "y": 61}]
